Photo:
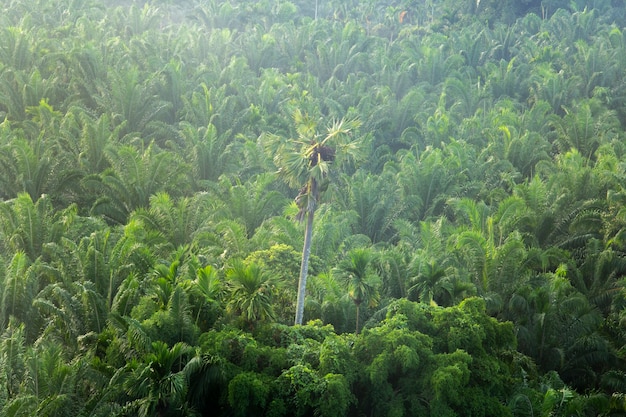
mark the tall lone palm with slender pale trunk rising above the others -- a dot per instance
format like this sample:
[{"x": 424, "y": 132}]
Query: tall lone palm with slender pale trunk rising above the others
[{"x": 305, "y": 162}]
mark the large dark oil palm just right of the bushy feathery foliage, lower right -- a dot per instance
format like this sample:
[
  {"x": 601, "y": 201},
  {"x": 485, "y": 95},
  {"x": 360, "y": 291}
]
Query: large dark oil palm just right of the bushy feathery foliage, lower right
[{"x": 560, "y": 329}]
